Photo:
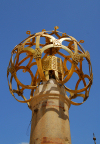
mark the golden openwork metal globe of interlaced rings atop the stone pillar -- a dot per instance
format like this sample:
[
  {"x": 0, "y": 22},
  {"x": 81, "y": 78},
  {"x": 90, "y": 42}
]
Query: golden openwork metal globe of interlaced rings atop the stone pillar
[{"x": 44, "y": 54}]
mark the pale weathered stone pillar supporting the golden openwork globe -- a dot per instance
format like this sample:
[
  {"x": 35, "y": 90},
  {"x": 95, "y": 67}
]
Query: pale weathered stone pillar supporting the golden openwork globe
[{"x": 50, "y": 118}]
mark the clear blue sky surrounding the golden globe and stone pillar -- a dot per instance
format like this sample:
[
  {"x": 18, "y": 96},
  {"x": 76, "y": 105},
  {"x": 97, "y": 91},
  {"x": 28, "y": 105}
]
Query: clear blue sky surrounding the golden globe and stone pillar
[{"x": 78, "y": 18}]
